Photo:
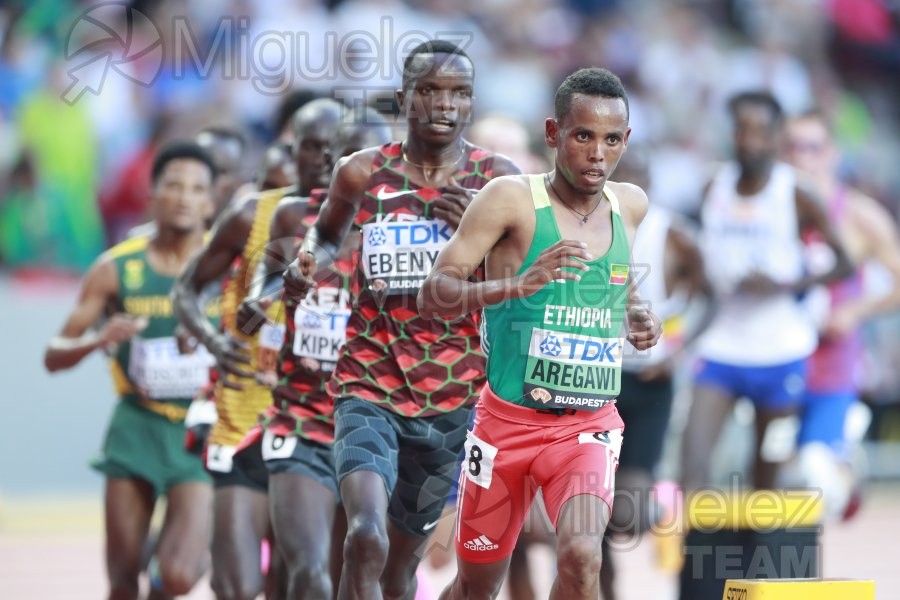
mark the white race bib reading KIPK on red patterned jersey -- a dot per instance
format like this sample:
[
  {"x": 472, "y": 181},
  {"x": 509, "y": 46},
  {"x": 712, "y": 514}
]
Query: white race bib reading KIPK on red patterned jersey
[{"x": 321, "y": 328}]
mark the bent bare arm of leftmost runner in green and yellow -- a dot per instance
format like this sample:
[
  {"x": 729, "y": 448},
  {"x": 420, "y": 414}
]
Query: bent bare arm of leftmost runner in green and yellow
[{"x": 99, "y": 294}]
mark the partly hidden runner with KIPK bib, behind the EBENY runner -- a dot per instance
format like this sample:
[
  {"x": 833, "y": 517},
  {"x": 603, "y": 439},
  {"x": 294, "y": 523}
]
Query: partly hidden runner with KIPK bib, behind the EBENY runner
[{"x": 296, "y": 434}]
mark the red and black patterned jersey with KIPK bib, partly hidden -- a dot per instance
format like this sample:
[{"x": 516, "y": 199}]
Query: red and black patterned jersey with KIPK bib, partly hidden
[{"x": 314, "y": 334}]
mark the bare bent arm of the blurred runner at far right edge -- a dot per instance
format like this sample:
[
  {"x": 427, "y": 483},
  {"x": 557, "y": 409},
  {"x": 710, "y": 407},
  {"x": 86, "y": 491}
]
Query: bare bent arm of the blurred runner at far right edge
[{"x": 874, "y": 228}]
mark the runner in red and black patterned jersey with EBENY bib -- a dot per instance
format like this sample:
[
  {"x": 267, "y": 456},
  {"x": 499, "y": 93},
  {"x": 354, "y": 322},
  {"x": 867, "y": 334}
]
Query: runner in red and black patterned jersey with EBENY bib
[{"x": 403, "y": 386}]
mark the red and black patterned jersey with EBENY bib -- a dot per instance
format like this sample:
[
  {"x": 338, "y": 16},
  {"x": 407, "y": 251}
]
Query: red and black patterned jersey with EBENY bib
[{"x": 412, "y": 366}]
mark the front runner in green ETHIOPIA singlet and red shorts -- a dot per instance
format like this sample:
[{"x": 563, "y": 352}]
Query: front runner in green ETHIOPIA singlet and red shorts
[{"x": 557, "y": 251}]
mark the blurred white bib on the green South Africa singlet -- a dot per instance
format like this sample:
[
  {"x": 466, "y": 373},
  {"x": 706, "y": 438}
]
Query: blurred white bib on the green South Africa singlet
[{"x": 161, "y": 372}]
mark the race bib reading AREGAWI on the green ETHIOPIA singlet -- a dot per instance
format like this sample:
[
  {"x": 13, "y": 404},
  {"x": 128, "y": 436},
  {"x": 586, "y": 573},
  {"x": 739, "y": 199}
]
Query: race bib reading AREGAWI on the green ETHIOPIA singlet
[{"x": 566, "y": 370}]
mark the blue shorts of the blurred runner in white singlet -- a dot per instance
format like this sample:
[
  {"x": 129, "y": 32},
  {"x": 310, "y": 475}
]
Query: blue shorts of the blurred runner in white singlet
[{"x": 774, "y": 388}]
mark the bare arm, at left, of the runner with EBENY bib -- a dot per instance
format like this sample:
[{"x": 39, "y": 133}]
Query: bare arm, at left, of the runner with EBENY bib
[{"x": 323, "y": 241}]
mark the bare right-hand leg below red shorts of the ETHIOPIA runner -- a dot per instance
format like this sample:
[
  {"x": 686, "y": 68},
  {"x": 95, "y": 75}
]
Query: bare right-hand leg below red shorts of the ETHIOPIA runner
[{"x": 583, "y": 519}]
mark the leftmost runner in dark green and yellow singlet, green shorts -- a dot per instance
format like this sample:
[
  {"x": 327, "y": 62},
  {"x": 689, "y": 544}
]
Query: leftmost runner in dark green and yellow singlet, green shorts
[{"x": 143, "y": 453}]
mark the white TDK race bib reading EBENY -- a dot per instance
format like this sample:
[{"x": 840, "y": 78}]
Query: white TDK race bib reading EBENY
[{"x": 398, "y": 255}]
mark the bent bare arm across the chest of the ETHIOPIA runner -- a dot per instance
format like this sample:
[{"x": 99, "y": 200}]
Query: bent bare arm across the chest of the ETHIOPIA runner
[{"x": 498, "y": 211}]
